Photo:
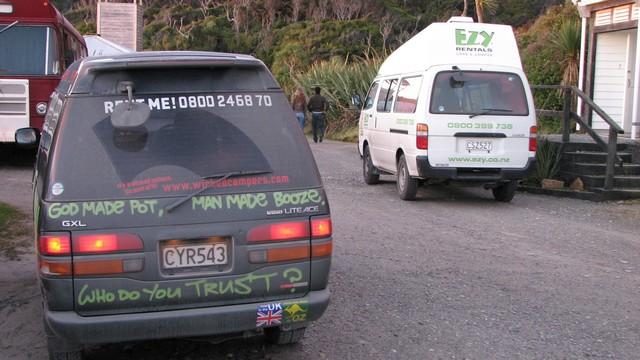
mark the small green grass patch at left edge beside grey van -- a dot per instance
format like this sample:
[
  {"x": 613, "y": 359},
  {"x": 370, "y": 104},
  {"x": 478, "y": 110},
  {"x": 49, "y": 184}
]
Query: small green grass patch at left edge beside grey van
[{"x": 14, "y": 239}]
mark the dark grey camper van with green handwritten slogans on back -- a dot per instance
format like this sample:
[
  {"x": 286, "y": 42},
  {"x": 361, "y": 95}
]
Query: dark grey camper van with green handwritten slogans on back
[{"x": 176, "y": 196}]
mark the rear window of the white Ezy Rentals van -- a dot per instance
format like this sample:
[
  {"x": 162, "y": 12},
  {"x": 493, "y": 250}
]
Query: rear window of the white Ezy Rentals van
[{"x": 473, "y": 92}]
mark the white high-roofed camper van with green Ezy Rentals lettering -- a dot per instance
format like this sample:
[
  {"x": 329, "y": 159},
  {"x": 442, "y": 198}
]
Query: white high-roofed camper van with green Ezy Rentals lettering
[{"x": 451, "y": 104}]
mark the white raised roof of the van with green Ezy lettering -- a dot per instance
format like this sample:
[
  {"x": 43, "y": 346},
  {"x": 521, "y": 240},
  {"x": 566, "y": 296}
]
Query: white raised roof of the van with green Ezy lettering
[{"x": 455, "y": 43}]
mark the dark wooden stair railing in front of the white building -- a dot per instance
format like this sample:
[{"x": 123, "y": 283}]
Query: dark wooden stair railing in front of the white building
[{"x": 610, "y": 146}]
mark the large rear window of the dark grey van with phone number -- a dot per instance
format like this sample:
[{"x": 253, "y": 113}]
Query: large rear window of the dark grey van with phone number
[{"x": 187, "y": 137}]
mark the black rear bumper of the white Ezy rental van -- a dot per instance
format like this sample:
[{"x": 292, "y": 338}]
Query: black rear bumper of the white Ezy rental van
[{"x": 425, "y": 170}]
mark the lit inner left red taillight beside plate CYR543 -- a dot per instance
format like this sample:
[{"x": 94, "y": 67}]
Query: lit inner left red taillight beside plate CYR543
[{"x": 104, "y": 243}]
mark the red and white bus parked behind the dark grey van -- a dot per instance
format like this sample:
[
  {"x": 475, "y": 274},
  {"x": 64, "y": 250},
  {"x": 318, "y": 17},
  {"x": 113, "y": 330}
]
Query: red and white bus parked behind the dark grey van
[{"x": 37, "y": 44}]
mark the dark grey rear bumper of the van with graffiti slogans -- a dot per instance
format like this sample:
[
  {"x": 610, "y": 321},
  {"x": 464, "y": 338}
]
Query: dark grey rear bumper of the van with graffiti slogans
[{"x": 74, "y": 328}]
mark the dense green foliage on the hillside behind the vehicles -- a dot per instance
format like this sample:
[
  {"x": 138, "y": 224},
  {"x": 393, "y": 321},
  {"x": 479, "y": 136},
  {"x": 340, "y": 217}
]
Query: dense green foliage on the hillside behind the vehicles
[{"x": 295, "y": 37}]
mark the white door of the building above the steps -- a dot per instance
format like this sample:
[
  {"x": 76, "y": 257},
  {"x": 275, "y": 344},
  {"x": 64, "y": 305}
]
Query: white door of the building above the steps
[{"x": 613, "y": 77}]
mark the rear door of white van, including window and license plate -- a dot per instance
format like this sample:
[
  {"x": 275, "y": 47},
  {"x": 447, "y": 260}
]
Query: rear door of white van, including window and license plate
[{"x": 480, "y": 119}]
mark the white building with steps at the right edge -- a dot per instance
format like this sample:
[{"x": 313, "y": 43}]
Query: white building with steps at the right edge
[{"x": 610, "y": 60}]
